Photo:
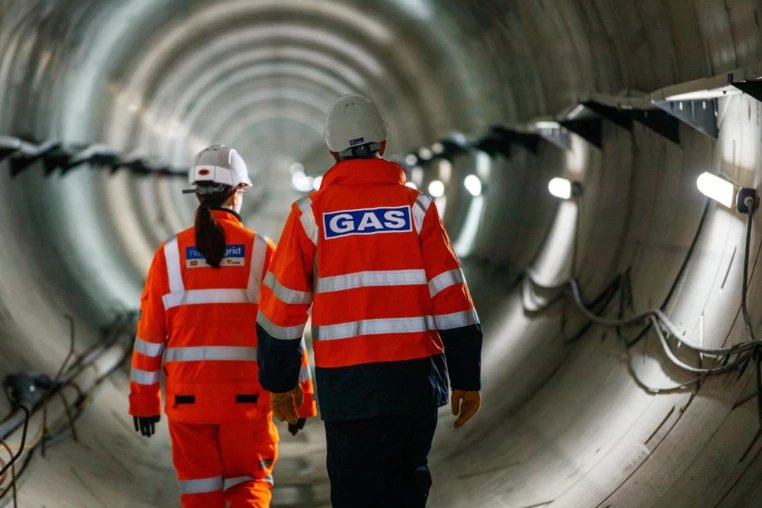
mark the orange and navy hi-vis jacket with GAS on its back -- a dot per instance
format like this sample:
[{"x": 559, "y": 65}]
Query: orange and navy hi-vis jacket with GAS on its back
[{"x": 391, "y": 309}]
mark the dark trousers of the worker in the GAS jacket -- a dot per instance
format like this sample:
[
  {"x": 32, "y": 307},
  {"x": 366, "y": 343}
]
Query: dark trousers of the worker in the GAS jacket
[{"x": 380, "y": 462}]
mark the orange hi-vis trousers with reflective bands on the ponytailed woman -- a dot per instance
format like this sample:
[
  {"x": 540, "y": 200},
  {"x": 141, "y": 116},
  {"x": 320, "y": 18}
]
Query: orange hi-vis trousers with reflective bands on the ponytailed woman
[{"x": 224, "y": 463}]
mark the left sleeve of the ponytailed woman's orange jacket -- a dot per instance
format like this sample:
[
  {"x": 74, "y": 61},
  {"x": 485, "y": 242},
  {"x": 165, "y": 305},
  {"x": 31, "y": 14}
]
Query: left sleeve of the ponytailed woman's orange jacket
[{"x": 145, "y": 393}]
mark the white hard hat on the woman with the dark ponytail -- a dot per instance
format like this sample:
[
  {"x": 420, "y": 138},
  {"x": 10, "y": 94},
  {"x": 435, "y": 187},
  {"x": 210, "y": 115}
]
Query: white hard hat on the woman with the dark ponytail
[{"x": 219, "y": 164}]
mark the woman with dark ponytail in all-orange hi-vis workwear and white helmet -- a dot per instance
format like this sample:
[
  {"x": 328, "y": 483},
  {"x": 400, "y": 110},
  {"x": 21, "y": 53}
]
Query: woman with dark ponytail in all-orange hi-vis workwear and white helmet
[{"x": 198, "y": 311}]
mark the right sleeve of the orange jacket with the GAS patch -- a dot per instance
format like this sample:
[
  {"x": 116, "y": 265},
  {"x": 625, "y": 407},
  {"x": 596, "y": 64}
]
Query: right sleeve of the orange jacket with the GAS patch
[{"x": 452, "y": 306}]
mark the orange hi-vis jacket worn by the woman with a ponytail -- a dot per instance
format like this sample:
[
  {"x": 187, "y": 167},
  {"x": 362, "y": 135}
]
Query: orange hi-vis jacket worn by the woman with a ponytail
[{"x": 201, "y": 321}]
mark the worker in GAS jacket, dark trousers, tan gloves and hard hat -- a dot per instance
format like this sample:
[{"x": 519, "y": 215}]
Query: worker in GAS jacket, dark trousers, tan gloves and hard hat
[{"x": 392, "y": 318}]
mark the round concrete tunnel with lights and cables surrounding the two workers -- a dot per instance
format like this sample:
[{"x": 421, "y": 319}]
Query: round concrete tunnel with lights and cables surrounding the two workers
[{"x": 619, "y": 365}]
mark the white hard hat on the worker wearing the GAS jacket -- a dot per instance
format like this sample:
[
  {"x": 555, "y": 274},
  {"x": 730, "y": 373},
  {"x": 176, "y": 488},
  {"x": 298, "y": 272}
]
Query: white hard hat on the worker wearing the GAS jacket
[{"x": 353, "y": 121}]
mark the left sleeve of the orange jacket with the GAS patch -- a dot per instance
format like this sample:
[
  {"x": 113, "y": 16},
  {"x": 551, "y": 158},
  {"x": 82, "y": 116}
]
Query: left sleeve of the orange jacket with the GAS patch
[{"x": 285, "y": 299}]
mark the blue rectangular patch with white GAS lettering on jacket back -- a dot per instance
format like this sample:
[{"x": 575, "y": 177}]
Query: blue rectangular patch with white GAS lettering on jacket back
[{"x": 367, "y": 221}]
